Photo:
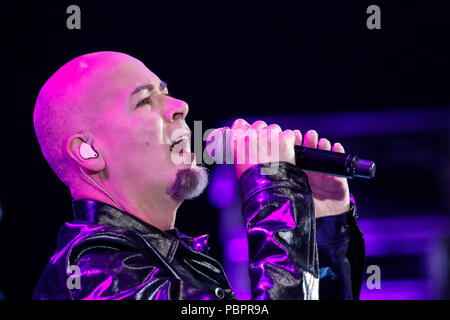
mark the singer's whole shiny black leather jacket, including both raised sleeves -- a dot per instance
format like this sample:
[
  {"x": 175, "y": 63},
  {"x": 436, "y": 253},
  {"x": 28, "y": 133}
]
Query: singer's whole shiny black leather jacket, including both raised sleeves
[{"x": 118, "y": 256}]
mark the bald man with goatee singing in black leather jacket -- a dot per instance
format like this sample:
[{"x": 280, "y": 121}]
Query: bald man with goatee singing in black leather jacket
[{"x": 109, "y": 130}]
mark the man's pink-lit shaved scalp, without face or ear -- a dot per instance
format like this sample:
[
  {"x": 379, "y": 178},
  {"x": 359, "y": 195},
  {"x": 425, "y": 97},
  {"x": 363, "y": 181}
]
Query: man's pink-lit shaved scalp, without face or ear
[{"x": 73, "y": 100}]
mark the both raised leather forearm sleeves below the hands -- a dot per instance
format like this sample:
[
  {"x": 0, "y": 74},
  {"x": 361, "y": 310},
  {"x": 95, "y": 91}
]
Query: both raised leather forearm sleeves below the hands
[{"x": 289, "y": 258}]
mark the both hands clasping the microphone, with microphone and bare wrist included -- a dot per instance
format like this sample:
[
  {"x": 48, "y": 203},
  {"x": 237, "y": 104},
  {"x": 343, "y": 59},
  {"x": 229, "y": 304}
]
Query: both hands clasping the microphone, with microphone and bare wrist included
[{"x": 331, "y": 165}]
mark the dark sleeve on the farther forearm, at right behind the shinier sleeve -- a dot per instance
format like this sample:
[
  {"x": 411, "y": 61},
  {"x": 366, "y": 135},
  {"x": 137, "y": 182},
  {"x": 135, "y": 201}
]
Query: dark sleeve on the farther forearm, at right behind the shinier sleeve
[{"x": 341, "y": 256}]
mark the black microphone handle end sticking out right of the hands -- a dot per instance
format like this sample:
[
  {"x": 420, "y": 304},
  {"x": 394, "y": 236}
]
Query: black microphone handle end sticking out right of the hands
[{"x": 334, "y": 163}]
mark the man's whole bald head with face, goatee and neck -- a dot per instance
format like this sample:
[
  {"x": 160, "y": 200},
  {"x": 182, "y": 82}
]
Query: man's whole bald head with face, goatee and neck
[{"x": 114, "y": 103}]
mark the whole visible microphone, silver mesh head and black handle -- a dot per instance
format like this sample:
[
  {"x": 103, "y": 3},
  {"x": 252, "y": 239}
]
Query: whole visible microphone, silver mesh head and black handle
[{"x": 345, "y": 165}]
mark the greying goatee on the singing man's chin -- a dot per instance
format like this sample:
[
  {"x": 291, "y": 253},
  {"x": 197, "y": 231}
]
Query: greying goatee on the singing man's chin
[{"x": 189, "y": 183}]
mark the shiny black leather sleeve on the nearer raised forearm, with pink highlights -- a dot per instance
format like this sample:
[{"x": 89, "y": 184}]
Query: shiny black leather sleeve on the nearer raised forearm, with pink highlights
[{"x": 279, "y": 215}]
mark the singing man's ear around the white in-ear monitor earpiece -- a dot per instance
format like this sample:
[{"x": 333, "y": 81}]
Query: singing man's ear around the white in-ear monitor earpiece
[{"x": 73, "y": 144}]
